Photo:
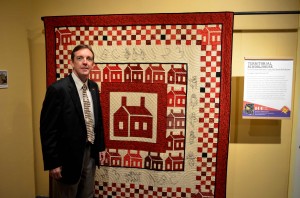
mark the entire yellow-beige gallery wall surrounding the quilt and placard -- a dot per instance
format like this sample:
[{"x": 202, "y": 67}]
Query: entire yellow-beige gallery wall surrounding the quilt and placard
[{"x": 254, "y": 170}]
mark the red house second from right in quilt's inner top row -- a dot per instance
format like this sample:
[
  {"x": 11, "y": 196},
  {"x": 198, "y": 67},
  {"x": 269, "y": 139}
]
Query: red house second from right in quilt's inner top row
[{"x": 155, "y": 74}]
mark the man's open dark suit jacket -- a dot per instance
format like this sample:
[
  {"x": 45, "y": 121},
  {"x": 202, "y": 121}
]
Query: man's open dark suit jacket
[{"x": 63, "y": 131}]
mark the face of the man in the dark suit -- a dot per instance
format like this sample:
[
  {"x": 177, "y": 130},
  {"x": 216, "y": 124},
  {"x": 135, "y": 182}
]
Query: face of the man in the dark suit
[{"x": 83, "y": 63}]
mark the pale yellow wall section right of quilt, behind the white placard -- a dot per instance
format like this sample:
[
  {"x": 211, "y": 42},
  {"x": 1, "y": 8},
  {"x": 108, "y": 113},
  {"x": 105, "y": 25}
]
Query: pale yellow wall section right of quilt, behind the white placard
[{"x": 259, "y": 165}]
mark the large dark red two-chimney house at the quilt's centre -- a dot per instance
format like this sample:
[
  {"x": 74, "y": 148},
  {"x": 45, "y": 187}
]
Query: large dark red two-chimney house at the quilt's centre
[{"x": 133, "y": 121}]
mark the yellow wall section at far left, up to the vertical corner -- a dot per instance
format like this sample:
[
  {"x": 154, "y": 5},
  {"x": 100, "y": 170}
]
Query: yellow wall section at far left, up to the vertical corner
[{"x": 16, "y": 127}]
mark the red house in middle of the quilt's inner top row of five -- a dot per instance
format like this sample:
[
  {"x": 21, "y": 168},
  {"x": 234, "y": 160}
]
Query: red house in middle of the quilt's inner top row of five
[{"x": 134, "y": 73}]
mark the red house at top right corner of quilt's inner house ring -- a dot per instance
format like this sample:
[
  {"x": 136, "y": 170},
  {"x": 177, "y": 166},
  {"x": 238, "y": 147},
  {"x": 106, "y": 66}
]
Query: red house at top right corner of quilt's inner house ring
[{"x": 177, "y": 75}]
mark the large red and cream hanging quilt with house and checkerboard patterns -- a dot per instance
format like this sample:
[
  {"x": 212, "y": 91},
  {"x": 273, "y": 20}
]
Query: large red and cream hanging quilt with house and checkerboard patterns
[{"x": 164, "y": 84}]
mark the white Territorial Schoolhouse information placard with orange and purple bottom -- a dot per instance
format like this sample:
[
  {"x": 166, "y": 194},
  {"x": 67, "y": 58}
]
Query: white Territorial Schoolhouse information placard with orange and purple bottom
[{"x": 267, "y": 88}]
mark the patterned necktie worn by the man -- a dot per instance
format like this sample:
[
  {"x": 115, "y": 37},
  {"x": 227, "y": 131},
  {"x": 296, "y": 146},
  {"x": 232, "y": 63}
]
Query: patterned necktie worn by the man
[{"x": 88, "y": 115}]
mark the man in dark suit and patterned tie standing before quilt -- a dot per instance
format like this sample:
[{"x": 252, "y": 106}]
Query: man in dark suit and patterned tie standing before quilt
[{"x": 72, "y": 145}]
